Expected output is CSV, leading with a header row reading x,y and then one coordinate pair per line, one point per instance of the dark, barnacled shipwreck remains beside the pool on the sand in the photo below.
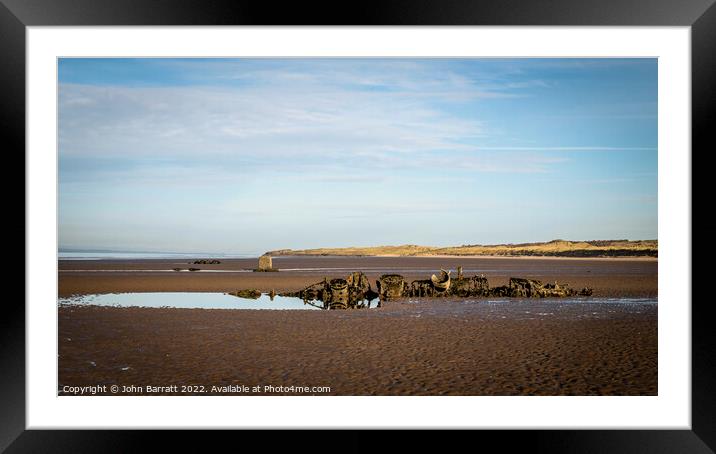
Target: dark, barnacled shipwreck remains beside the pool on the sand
x,y
355,291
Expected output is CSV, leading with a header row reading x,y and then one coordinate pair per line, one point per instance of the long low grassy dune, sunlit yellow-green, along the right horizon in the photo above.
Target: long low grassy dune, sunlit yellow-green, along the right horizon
x,y
558,248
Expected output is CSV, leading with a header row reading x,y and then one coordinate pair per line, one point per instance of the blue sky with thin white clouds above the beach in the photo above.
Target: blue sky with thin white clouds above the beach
x,y
249,155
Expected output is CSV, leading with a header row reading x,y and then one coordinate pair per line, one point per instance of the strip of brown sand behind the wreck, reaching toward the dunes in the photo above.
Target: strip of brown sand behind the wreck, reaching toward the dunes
x,y
608,277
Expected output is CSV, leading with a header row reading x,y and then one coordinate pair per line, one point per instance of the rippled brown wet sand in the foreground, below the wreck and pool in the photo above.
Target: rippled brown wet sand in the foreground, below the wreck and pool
x,y
424,348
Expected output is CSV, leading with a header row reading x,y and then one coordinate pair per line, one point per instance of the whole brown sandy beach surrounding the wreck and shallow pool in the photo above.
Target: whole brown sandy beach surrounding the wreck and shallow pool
x,y
406,347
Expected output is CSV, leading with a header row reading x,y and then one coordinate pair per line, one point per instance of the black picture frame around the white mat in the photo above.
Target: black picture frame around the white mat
x,y
16,15
